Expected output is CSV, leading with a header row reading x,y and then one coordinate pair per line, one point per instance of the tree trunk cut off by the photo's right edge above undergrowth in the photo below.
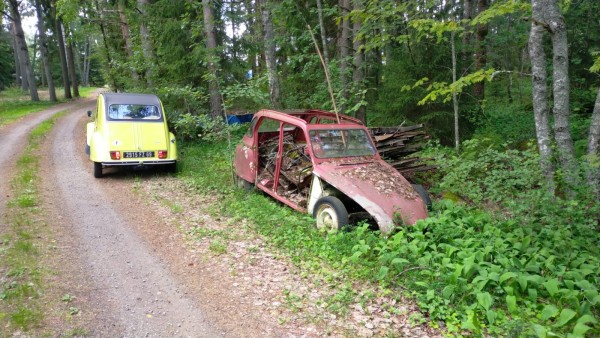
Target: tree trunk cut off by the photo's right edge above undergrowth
x,y
593,170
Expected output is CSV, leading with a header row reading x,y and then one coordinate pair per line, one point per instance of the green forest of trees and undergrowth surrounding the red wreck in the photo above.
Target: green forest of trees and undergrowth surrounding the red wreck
x,y
508,90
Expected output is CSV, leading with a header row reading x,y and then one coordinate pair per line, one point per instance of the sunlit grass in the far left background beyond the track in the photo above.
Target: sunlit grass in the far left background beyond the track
x,y
14,104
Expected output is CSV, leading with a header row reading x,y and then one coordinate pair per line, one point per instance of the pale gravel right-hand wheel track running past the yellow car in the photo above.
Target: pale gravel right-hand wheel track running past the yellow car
x,y
142,298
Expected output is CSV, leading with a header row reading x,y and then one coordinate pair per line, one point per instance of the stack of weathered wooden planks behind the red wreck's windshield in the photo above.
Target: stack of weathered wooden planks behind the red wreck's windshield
x,y
397,146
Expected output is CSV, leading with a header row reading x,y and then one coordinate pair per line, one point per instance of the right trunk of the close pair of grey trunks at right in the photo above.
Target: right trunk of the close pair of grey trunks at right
x,y
560,61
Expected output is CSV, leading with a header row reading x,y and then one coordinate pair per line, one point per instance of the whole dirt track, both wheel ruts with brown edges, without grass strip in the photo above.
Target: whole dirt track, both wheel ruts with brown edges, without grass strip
x,y
122,284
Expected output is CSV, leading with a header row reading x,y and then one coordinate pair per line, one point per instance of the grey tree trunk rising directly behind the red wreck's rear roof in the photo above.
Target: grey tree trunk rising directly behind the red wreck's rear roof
x,y
270,57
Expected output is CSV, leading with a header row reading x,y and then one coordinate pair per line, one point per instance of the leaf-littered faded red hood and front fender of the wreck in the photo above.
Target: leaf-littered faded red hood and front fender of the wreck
x,y
378,188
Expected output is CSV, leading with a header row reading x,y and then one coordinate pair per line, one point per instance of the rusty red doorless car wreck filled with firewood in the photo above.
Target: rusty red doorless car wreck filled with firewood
x,y
326,165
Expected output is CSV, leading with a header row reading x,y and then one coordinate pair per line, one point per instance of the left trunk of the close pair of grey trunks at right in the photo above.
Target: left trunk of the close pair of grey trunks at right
x,y
540,95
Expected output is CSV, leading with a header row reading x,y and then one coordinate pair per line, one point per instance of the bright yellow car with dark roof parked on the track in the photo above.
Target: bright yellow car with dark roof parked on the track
x,y
129,130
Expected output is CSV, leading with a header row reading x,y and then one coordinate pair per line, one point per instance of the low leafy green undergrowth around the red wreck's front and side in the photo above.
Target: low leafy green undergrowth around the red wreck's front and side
x,y
519,264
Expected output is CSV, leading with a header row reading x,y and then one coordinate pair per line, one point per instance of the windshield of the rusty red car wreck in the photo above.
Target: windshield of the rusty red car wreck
x,y
335,143
